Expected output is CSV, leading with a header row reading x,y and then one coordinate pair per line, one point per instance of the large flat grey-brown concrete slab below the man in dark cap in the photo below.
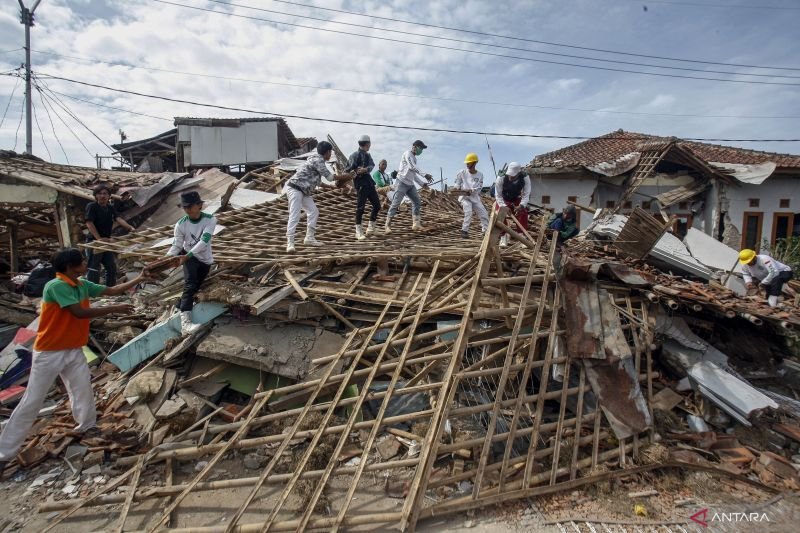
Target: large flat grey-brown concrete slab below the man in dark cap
x,y
285,350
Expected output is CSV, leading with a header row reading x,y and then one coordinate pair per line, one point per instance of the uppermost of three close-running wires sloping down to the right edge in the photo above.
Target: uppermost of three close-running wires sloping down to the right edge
x,y
520,38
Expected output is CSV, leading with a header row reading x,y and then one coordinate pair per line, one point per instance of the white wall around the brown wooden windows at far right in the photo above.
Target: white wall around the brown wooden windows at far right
x,y
769,194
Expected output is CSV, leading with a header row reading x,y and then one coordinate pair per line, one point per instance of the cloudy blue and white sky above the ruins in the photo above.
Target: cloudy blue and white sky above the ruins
x,y
296,58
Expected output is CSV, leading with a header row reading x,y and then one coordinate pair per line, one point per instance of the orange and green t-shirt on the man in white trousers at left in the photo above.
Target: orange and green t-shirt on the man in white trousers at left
x,y
59,329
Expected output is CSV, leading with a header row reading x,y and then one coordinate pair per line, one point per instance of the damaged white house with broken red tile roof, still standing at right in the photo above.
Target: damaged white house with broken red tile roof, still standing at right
x,y
741,197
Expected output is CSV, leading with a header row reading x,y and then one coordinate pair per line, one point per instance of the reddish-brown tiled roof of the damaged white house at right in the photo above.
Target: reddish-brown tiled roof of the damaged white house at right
x,y
618,145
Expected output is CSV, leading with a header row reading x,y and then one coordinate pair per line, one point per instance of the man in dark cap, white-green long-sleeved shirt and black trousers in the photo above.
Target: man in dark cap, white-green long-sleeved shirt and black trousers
x,y
192,246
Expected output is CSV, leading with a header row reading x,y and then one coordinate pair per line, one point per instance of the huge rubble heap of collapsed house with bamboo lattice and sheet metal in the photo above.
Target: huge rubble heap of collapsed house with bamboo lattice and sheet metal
x,y
386,382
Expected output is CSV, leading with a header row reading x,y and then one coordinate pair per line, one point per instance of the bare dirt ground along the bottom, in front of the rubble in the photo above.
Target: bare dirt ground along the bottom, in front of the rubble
x,y
679,495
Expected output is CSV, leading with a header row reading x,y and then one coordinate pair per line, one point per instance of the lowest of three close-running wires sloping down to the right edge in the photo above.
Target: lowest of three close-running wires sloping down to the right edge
x,y
483,52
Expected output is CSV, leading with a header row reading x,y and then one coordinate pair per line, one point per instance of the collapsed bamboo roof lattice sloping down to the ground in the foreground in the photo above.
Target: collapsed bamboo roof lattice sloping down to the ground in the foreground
x,y
478,340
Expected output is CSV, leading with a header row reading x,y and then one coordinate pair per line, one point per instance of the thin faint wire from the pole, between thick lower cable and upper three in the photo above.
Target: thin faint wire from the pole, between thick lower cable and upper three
x,y
94,61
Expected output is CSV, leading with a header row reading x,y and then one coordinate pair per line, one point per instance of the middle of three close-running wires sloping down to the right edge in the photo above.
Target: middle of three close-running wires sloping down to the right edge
x,y
501,46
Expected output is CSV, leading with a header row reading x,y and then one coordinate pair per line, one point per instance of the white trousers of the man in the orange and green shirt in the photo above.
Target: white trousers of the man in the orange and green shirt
x,y
46,367
